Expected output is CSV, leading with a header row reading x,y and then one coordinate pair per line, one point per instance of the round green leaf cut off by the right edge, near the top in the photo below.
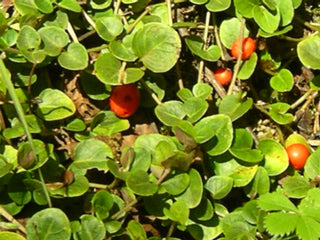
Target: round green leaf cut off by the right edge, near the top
x,y
309,52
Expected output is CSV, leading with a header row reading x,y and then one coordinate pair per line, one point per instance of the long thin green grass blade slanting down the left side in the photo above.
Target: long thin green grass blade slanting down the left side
x,y
7,81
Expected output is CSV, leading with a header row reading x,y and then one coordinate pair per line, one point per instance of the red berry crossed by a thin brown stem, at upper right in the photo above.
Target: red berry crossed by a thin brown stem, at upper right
x,y
248,47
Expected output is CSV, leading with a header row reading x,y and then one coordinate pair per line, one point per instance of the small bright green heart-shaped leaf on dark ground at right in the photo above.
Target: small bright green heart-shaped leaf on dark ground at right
x,y
283,81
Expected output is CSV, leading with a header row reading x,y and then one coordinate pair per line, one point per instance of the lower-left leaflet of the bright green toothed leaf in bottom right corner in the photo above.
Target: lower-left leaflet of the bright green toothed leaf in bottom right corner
x,y
281,223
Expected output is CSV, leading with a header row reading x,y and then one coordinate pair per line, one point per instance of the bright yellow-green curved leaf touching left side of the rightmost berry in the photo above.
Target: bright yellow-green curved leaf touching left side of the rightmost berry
x,y
275,156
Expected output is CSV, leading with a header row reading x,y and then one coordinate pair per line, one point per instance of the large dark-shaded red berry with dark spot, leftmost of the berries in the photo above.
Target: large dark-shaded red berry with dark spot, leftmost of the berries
x,y
124,100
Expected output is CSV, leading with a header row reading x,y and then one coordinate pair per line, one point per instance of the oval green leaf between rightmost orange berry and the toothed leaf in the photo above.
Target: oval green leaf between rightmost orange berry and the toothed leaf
x,y
296,186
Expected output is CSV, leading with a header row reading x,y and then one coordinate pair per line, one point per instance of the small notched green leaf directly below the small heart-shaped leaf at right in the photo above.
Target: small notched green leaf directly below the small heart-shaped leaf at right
x,y
278,112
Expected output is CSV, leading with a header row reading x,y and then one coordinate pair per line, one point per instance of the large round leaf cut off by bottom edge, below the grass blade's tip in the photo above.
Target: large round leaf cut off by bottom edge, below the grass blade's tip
x,y
48,224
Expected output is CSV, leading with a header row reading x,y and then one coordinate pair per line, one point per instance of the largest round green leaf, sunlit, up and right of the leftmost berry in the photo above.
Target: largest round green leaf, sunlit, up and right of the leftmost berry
x,y
158,46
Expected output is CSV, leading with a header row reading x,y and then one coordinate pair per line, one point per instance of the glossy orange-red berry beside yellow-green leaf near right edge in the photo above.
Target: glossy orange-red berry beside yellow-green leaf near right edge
x,y
298,154
